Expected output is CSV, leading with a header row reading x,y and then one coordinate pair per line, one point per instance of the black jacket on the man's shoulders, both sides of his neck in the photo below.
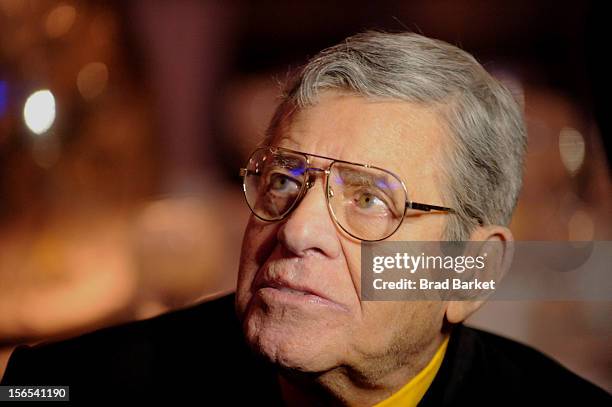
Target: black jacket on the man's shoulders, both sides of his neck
x,y
198,354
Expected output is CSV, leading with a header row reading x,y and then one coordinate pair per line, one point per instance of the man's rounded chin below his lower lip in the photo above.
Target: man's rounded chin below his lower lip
x,y
291,343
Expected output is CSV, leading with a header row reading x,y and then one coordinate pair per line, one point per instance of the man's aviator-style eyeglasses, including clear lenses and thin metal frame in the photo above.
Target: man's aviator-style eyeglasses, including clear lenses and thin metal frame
x,y
369,203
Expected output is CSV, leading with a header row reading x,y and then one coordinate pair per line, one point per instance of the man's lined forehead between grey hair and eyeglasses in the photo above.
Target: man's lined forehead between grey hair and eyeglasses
x,y
395,135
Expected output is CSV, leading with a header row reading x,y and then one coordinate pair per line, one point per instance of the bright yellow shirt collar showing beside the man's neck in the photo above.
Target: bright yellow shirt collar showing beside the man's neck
x,y
415,389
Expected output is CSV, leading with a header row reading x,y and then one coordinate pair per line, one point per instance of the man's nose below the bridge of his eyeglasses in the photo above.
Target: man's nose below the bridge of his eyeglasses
x,y
309,229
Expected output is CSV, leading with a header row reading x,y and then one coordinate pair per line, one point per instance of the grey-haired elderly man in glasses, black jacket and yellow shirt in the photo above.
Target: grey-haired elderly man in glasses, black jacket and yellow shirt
x,y
420,114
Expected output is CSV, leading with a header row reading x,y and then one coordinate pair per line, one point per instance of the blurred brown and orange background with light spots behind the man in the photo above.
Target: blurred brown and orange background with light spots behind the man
x,y
123,125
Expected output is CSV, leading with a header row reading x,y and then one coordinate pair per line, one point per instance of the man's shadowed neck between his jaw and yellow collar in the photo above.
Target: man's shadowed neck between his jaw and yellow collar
x,y
351,386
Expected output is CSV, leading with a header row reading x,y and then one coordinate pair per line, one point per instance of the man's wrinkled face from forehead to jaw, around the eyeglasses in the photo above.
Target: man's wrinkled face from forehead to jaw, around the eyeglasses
x,y
308,251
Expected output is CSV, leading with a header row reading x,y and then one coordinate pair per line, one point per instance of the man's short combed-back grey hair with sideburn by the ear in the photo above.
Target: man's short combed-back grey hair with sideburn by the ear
x,y
484,156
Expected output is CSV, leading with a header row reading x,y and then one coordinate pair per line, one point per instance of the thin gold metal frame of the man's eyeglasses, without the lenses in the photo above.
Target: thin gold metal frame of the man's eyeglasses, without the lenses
x,y
310,181
